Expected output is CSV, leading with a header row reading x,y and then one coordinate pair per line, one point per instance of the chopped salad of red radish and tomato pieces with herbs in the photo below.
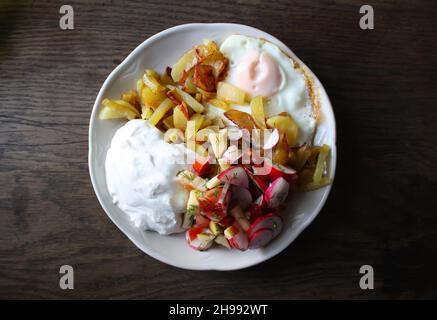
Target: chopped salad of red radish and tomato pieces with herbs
x,y
237,208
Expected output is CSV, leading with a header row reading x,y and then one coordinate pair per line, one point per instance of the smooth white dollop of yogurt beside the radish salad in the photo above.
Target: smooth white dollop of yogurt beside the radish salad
x,y
141,173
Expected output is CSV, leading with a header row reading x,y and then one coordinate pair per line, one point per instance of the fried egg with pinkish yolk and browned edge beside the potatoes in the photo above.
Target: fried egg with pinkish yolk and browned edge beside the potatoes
x,y
259,67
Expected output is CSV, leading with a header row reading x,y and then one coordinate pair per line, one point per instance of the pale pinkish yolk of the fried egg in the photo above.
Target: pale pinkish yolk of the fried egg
x,y
258,75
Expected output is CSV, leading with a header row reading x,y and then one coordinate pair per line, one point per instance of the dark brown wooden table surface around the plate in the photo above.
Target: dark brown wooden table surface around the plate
x,y
382,209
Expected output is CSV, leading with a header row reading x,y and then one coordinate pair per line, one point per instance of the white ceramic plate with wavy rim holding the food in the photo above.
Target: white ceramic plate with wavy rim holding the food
x,y
157,52
